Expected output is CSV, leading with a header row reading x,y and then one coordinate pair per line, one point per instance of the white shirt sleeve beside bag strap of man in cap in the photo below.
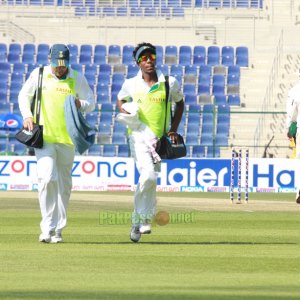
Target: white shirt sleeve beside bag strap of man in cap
x,y
26,94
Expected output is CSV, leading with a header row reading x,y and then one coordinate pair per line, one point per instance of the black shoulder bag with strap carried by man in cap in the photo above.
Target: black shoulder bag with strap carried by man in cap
x,y
34,138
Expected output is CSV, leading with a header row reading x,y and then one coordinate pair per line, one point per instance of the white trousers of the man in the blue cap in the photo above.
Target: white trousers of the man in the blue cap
x,y
54,166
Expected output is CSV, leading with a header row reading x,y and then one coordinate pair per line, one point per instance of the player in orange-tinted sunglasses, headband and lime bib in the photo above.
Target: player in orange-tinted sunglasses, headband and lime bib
x,y
147,91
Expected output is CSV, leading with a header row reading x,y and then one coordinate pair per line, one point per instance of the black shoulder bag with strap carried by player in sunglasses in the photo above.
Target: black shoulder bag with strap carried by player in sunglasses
x,y
165,148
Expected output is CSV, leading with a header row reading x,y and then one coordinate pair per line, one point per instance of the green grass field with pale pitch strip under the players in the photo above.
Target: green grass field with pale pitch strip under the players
x,y
224,251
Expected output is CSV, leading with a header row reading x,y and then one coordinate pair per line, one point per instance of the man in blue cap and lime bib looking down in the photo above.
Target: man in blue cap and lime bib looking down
x,y
55,159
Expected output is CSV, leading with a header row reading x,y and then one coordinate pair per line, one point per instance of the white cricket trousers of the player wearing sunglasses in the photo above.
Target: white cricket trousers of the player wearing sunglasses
x,y
145,194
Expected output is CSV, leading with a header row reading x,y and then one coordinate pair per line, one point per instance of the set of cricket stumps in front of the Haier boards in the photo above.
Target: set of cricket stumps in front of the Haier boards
x,y
237,153
